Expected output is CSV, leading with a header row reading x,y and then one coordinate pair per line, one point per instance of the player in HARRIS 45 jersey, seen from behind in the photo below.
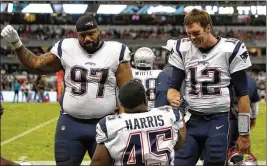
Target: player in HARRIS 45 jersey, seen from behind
x,y
138,136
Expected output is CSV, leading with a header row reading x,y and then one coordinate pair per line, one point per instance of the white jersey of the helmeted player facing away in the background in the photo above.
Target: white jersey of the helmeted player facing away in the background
x,y
149,80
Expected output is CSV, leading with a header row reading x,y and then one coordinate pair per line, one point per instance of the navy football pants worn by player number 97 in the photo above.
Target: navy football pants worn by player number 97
x,y
73,138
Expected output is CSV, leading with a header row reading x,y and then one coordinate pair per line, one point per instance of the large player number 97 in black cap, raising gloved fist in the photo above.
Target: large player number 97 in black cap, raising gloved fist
x,y
92,71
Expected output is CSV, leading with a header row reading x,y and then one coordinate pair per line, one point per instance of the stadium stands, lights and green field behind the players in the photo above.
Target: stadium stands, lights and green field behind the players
x,y
27,128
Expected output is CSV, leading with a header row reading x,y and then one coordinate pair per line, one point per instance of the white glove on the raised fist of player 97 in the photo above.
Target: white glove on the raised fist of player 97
x,y
11,36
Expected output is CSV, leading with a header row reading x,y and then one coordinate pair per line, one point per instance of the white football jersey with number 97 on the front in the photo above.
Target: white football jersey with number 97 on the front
x,y
89,80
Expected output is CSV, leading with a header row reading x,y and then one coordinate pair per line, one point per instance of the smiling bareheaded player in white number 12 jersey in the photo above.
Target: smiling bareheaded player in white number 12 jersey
x,y
208,64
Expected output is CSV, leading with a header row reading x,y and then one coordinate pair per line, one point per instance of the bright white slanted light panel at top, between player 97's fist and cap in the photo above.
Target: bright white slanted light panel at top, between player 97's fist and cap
x,y
37,8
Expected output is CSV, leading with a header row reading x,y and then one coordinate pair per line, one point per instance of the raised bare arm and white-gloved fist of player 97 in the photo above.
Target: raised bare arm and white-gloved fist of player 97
x,y
44,64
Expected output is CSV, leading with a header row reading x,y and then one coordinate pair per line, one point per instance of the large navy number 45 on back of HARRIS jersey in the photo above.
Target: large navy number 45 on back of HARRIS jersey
x,y
135,152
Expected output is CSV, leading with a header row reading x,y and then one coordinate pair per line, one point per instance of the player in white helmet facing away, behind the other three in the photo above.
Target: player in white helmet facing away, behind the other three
x,y
143,60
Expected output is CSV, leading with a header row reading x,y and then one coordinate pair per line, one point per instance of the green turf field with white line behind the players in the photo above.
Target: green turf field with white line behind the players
x,y
37,145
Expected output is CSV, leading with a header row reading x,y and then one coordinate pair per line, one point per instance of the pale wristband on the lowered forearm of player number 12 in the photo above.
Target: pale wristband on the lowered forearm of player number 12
x,y
244,123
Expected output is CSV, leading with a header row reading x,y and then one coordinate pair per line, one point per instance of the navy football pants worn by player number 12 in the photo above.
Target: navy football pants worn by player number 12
x,y
208,134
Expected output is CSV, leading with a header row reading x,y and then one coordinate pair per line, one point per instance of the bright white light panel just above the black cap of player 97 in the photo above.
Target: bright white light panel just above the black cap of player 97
x,y
74,8
